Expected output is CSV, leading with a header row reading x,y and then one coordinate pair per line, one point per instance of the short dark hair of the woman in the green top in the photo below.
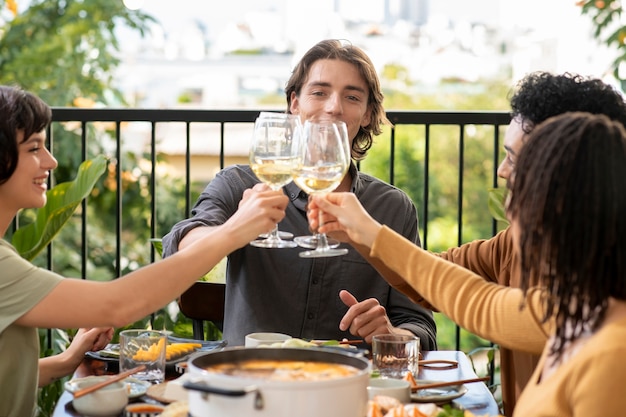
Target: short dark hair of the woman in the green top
x,y
19,110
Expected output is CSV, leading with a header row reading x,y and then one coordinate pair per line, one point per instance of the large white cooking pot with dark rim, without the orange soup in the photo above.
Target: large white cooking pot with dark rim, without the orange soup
x,y
218,394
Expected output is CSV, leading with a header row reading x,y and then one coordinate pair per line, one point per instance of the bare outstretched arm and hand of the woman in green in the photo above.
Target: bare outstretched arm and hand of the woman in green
x,y
82,303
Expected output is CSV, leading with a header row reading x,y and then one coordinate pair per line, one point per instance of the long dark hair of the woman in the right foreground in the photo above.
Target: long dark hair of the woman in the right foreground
x,y
568,202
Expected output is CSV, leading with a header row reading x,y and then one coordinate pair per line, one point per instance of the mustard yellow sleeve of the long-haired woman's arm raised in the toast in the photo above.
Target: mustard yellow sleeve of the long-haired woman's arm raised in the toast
x,y
489,310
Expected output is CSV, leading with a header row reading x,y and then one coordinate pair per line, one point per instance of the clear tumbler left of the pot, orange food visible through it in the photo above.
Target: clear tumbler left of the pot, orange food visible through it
x,y
144,347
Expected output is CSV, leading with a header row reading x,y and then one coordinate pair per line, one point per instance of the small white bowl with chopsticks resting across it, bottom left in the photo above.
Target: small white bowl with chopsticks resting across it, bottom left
x,y
109,400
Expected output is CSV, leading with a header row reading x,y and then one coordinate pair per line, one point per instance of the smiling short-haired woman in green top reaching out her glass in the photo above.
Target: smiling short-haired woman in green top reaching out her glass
x,y
32,297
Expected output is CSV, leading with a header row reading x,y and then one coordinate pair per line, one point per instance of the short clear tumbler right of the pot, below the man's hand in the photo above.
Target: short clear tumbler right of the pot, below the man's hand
x,y
394,355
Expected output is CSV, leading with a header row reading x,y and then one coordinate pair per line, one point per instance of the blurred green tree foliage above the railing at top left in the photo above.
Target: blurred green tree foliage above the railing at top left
x,y
65,49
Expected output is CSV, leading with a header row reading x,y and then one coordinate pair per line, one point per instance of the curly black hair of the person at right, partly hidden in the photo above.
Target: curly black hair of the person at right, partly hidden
x,y
541,95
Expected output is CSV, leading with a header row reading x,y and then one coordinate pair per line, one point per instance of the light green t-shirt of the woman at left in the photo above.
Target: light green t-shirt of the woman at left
x,y
22,286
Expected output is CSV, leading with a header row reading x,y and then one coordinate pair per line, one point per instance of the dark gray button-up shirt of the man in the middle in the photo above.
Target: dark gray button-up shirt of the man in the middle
x,y
276,290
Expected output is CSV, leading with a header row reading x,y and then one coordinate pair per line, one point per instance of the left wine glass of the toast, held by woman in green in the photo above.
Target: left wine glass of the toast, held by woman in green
x,y
274,156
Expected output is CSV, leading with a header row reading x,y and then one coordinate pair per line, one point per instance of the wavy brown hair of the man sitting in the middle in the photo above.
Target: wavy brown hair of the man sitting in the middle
x,y
336,49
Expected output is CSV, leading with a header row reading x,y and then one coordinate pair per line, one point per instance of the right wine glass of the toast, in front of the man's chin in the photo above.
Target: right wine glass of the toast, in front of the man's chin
x,y
325,158
